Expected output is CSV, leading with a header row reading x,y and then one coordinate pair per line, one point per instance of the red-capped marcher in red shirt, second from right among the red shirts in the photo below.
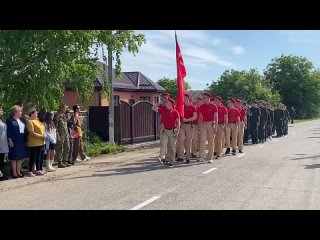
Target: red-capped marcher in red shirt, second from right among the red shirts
x,y
232,127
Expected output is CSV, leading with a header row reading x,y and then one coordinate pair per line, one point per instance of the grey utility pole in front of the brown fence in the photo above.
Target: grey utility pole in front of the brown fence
x,y
111,105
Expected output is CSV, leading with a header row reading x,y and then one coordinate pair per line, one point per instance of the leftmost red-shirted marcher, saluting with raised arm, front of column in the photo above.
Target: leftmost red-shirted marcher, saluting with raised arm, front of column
x,y
171,123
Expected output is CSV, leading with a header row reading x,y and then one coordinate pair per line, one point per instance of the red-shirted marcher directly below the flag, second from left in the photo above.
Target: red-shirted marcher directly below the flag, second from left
x,y
185,133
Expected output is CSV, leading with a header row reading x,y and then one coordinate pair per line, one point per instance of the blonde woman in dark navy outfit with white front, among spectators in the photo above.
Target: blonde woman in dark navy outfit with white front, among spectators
x,y
16,135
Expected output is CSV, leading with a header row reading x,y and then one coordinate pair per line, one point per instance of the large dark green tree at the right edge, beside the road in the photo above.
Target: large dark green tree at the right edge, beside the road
x,y
297,82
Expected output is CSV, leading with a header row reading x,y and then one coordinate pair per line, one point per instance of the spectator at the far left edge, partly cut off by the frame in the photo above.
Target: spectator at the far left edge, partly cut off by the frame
x,y
4,149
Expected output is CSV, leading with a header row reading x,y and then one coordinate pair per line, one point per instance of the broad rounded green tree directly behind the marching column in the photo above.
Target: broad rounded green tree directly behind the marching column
x,y
247,85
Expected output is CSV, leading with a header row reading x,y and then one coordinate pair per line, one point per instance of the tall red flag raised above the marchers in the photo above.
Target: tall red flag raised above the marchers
x,y
181,74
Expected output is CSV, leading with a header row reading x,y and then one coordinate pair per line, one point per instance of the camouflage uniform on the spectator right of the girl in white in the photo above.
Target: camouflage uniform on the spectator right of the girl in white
x,y
63,145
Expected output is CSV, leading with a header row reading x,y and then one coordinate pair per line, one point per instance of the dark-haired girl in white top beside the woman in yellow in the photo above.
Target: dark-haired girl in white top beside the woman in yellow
x,y
51,140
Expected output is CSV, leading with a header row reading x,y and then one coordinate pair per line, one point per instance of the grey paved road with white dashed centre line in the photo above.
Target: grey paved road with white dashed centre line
x,y
281,174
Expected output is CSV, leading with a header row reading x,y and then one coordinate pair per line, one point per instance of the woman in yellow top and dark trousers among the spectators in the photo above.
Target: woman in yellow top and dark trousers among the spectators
x,y
36,141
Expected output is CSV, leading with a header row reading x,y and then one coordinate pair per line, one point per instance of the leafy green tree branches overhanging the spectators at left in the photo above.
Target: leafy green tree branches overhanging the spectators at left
x,y
35,64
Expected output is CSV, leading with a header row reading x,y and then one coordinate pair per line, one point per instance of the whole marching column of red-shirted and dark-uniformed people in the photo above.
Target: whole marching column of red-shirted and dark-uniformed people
x,y
208,124
